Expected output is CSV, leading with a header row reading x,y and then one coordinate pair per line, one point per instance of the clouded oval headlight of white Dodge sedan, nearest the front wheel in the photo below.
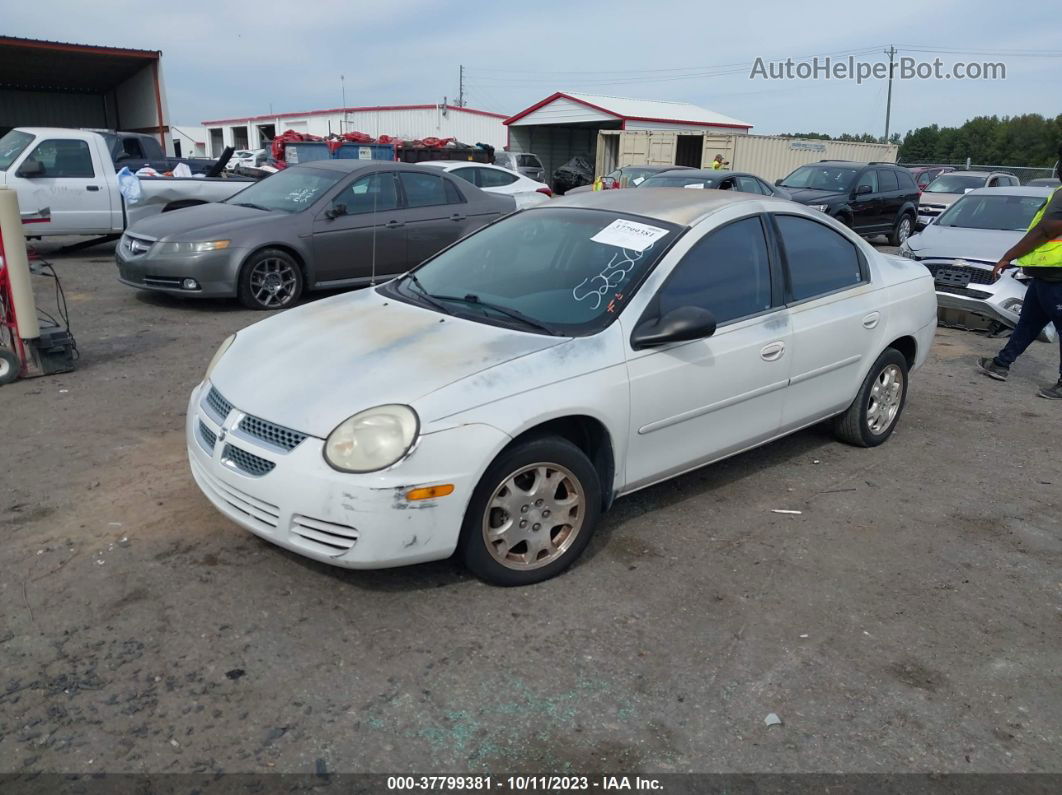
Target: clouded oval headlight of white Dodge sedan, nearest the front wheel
x,y
372,440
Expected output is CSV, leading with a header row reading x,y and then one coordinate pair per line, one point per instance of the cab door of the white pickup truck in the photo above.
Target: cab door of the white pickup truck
x,y
73,186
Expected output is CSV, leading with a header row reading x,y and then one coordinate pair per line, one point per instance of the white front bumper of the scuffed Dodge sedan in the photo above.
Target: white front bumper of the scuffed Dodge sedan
x,y
357,522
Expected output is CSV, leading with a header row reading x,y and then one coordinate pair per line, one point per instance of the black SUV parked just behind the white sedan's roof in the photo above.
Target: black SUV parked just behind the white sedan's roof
x,y
870,198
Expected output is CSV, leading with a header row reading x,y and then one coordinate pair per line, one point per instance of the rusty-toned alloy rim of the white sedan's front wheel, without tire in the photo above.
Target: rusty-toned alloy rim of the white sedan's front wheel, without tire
x,y
535,516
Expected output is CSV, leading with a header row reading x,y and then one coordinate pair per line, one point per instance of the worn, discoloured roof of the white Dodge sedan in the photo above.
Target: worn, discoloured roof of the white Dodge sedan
x,y
664,204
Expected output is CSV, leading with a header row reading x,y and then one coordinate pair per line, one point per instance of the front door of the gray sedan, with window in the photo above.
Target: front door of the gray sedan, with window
x,y
361,234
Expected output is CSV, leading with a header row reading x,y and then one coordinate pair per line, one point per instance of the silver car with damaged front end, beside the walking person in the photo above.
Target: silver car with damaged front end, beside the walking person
x,y
962,248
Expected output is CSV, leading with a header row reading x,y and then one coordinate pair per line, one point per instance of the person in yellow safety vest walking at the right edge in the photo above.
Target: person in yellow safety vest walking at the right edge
x,y
1040,255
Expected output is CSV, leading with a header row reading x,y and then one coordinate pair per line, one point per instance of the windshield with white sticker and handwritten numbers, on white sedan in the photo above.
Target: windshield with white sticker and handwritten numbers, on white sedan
x,y
562,269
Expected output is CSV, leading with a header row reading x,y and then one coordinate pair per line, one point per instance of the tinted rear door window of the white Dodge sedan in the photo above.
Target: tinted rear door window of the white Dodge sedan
x,y
820,261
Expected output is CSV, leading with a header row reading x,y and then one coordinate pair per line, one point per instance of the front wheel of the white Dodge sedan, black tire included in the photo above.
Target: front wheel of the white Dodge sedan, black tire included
x,y
570,475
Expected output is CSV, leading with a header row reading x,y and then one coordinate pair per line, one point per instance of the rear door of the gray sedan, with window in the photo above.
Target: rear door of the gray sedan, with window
x,y
437,214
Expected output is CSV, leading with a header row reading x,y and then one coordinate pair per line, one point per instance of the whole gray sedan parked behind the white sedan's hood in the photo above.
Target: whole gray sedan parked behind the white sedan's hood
x,y
329,224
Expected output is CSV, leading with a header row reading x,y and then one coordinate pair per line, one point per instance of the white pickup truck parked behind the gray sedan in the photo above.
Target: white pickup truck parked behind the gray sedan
x,y
67,184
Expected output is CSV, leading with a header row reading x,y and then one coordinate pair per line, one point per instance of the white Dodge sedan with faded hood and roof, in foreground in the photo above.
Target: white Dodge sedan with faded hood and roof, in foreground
x,y
499,399
